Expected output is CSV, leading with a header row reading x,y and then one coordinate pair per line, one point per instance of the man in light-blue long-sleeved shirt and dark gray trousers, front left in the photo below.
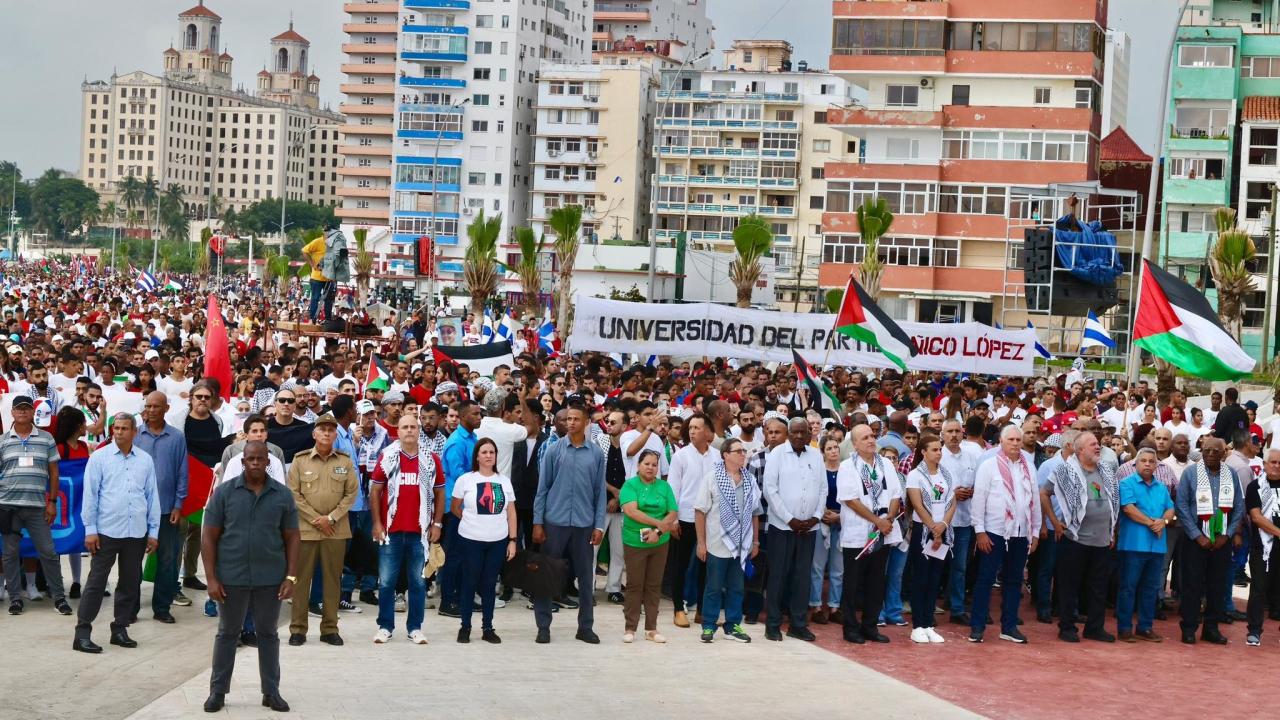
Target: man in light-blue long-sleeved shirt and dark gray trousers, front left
x,y
122,522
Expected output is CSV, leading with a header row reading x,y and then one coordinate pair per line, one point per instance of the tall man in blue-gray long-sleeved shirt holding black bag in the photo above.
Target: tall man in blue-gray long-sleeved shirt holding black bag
x,y
569,517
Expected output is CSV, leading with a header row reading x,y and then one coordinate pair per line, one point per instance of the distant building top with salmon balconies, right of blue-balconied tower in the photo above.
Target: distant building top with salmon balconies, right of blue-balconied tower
x,y
683,21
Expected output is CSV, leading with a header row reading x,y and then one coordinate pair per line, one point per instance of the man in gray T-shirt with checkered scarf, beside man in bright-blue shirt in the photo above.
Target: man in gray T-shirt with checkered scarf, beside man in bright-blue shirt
x,y
1089,502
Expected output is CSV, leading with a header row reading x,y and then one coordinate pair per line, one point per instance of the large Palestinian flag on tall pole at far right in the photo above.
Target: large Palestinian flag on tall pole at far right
x,y
1177,323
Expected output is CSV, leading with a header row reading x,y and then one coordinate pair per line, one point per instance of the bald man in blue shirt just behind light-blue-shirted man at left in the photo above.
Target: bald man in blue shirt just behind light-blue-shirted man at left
x,y
168,450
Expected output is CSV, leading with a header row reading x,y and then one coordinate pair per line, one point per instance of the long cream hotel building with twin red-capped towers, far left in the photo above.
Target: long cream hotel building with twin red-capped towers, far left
x,y
190,127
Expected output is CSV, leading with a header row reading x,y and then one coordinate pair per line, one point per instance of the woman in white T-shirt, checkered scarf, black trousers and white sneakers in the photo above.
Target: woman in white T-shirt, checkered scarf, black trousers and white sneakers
x,y
931,491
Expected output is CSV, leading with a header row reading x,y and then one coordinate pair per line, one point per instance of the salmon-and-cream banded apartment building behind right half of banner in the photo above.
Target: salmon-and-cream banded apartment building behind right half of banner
x,y
966,101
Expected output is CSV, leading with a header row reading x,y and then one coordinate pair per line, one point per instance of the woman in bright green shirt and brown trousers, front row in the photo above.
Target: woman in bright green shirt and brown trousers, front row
x,y
650,517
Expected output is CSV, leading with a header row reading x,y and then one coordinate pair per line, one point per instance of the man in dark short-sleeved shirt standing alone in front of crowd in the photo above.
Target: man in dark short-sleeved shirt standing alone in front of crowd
x,y
250,545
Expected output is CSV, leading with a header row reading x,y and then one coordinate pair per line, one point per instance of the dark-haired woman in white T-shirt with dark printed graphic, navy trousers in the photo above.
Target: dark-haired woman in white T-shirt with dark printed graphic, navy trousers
x,y
484,503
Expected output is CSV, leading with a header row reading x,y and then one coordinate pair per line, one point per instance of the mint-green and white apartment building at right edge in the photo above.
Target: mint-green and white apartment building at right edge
x,y
1223,147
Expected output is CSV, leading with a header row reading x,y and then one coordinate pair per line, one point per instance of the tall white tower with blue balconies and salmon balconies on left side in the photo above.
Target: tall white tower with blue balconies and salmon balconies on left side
x,y
463,116
